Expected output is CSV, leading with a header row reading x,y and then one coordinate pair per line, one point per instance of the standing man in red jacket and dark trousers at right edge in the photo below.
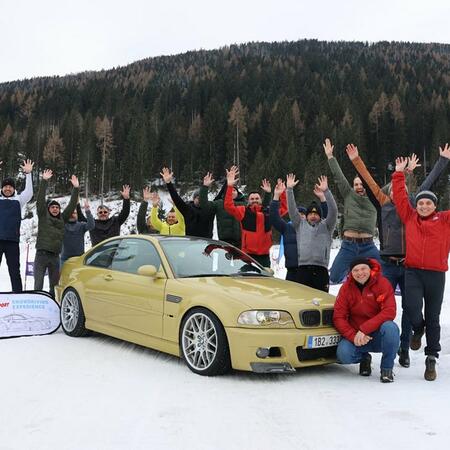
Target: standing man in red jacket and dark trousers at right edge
x,y
427,249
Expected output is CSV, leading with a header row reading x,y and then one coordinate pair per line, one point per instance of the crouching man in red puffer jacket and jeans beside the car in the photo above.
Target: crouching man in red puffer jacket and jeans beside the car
x,y
363,313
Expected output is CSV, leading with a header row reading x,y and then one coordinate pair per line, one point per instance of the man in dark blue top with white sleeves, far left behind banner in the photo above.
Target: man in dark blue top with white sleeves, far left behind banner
x,y
11,204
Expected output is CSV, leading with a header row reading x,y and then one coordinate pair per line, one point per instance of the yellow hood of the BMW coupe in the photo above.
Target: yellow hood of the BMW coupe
x,y
261,293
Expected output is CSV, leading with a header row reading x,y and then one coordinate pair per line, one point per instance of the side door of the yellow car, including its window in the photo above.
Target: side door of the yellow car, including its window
x,y
135,302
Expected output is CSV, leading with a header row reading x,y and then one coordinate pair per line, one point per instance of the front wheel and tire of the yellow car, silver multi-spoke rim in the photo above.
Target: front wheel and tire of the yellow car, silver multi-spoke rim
x,y
204,344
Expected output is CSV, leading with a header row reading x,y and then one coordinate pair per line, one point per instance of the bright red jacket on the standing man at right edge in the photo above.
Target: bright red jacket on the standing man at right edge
x,y
427,238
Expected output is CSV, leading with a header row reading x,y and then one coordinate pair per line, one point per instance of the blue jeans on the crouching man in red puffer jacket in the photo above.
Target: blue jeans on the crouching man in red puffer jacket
x,y
385,340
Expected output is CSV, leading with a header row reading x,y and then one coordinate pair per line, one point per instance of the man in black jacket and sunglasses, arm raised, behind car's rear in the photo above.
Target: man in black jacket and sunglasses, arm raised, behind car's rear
x,y
106,226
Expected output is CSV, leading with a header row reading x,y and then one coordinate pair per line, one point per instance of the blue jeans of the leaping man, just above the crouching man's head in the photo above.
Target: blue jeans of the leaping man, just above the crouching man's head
x,y
348,252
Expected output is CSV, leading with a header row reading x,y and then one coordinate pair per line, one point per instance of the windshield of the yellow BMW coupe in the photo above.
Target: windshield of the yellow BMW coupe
x,y
205,258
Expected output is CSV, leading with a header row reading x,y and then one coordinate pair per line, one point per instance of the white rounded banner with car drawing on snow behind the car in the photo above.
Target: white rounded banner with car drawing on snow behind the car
x,y
28,313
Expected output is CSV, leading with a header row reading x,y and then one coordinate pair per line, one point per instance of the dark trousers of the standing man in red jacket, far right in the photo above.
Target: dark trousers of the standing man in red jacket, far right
x,y
425,287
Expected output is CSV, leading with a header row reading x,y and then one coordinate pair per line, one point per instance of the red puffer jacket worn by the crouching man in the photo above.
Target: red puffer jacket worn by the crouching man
x,y
364,310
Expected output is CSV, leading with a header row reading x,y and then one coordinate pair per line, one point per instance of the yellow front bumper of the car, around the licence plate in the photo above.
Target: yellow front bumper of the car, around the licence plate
x,y
289,345
